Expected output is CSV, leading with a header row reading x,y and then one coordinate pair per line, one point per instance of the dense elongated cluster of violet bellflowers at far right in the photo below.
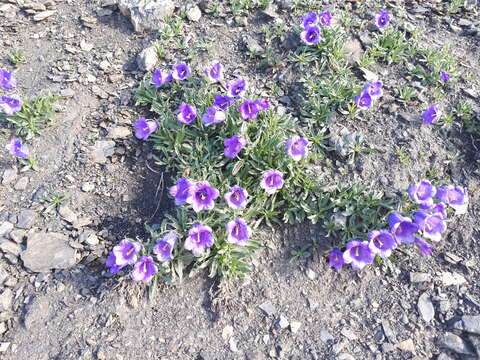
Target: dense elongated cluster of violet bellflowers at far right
x,y
425,226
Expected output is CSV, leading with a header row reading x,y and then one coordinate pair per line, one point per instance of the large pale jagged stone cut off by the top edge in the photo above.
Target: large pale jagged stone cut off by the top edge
x,y
146,14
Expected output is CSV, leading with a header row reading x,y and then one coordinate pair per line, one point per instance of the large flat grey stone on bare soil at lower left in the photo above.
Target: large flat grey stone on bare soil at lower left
x,y
47,251
